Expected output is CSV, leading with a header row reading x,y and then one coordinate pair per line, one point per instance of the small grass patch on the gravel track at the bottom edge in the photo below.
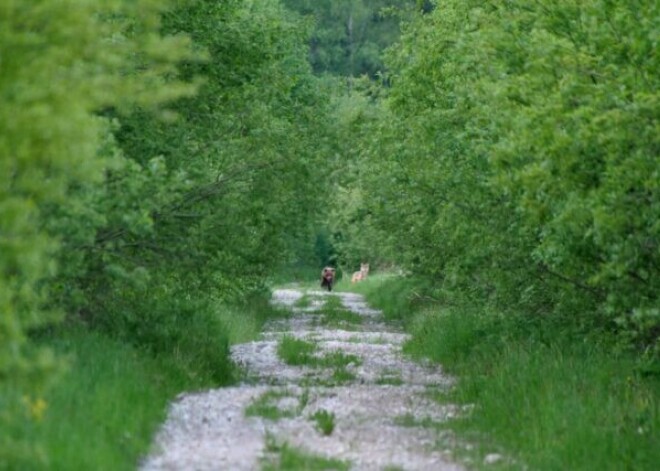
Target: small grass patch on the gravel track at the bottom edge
x,y
288,458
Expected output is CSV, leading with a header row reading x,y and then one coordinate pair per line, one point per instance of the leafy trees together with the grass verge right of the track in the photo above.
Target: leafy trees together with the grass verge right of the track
x,y
510,168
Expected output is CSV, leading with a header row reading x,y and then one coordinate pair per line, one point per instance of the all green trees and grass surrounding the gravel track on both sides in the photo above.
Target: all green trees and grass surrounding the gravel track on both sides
x,y
163,163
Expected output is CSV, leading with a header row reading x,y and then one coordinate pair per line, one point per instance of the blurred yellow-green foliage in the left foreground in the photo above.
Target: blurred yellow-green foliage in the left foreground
x,y
52,81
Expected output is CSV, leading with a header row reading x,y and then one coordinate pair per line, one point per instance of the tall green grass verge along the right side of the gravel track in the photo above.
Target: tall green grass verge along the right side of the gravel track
x,y
546,395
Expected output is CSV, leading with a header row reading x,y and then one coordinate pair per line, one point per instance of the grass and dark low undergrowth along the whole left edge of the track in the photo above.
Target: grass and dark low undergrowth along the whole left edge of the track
x,y
104,408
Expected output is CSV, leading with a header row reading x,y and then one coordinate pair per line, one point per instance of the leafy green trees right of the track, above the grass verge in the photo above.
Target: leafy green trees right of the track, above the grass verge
x,y
516,160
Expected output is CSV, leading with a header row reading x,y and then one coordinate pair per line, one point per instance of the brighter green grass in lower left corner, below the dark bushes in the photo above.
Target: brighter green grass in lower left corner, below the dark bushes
x,y
103,412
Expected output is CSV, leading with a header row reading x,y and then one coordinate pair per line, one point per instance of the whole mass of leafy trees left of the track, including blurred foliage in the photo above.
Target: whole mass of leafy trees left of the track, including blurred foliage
x,y
156,159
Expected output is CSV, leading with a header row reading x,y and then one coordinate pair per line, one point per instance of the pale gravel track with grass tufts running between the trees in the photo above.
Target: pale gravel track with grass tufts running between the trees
x,y
344,371
